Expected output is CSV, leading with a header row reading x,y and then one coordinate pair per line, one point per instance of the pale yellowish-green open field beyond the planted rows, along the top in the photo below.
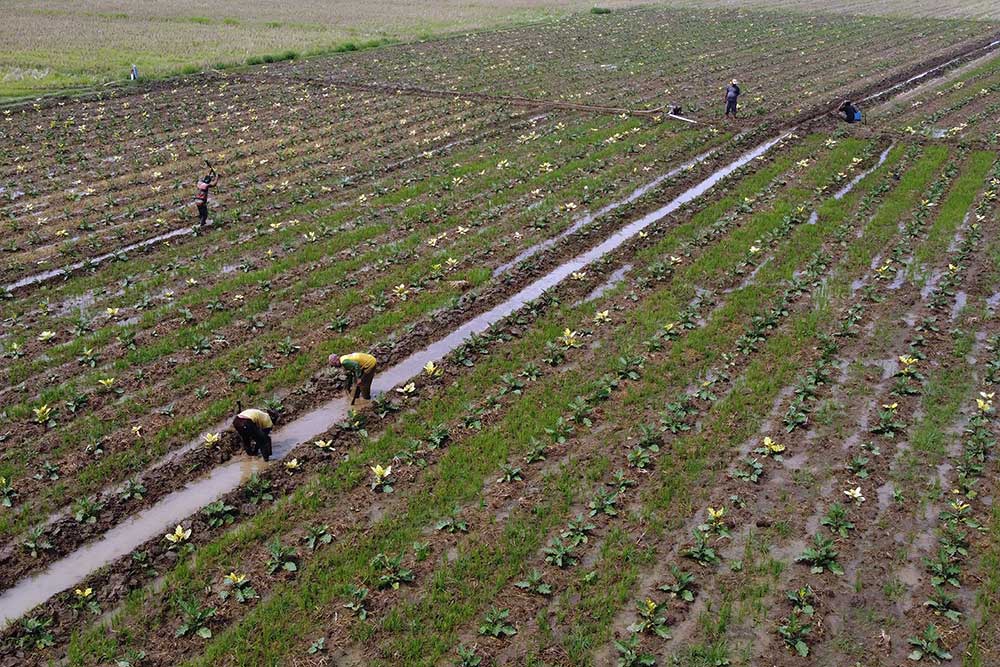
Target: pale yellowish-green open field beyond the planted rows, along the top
x,y
57,44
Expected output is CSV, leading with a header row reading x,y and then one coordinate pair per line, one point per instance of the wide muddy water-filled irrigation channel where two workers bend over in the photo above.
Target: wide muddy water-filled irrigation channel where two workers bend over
x,y
173,508
